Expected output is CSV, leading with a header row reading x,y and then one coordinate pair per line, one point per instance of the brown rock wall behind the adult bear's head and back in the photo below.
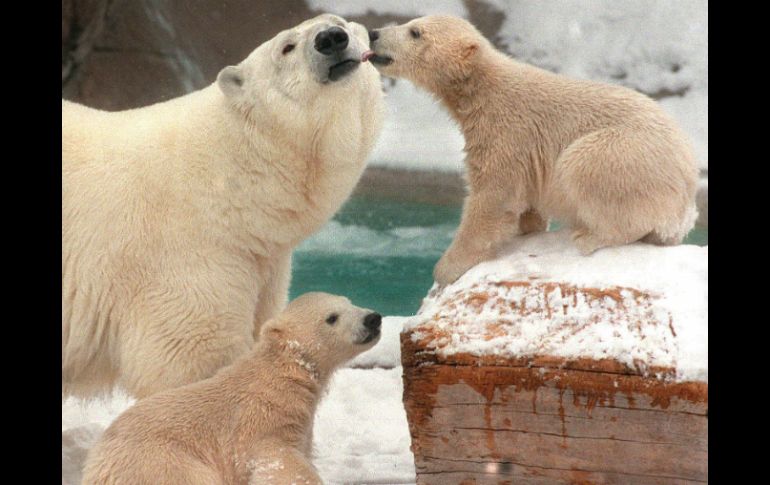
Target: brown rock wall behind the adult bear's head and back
x,y
119,54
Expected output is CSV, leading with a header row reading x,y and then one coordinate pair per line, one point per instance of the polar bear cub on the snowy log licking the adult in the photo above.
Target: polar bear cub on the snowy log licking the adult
x,y
604,159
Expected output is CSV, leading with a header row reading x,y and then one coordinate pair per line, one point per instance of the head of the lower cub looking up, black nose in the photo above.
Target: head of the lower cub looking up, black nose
x,y
328,327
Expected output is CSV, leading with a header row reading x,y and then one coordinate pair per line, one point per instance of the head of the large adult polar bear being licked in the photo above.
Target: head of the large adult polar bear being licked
x,y
323,52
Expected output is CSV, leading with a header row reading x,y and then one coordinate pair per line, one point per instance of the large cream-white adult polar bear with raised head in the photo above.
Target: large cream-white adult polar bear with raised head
x,y
179,219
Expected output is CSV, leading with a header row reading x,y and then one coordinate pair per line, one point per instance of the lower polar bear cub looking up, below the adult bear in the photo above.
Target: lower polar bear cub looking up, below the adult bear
x,y
252,421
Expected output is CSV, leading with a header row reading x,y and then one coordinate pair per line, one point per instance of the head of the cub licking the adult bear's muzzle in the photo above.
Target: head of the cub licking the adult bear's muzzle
x,y
427,50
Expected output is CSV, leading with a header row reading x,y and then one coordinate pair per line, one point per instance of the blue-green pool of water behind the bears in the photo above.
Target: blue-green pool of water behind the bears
x,y
380,253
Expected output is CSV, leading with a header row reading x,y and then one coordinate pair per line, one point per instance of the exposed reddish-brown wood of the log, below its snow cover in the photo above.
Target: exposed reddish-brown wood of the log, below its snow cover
x,y
544,419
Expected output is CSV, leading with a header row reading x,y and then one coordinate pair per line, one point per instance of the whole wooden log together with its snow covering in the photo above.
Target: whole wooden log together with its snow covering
x,y
545,366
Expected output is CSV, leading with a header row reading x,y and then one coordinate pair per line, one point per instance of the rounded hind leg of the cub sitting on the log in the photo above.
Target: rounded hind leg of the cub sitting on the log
x,y
618,185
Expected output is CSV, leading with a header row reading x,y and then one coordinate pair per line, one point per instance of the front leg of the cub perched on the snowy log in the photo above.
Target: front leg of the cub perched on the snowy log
x,y
490,219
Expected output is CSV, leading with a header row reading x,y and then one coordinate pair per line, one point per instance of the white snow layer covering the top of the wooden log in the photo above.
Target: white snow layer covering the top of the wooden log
x,y
474,314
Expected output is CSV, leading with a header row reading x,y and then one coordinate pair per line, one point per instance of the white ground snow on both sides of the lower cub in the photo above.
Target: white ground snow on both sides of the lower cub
x,y
360,435
